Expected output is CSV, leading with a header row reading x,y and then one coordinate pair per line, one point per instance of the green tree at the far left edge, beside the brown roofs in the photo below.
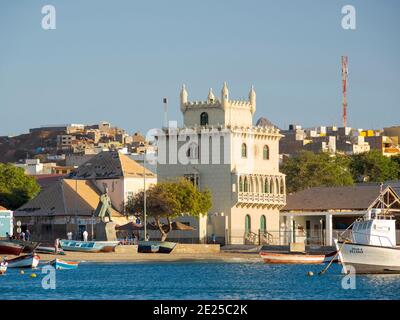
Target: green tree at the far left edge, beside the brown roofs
x,y
16,188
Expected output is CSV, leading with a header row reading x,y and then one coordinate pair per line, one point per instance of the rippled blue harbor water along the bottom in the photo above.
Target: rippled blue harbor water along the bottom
x,y
200,280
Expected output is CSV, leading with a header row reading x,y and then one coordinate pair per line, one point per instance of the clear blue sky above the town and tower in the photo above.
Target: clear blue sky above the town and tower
x,y
116,60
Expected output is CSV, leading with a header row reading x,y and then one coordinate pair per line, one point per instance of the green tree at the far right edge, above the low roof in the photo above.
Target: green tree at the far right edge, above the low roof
x,y
373,166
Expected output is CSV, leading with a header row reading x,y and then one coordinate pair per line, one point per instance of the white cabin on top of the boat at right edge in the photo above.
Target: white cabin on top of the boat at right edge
x,y
375,229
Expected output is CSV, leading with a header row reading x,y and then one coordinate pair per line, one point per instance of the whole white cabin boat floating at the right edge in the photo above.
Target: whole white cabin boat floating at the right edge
x,y
372,248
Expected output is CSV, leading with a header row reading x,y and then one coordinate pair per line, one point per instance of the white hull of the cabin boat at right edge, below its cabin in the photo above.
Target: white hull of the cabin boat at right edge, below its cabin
x,y
368,259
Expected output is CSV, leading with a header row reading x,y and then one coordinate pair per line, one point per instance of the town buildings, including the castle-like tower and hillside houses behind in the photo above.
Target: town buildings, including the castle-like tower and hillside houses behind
x,y
75,164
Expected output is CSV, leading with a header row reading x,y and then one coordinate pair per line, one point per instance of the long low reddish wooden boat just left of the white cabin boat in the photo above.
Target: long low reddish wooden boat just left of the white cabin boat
x,y
296,258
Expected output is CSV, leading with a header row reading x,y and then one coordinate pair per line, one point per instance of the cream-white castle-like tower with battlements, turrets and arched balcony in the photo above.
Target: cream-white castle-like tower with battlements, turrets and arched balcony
x,y
219,148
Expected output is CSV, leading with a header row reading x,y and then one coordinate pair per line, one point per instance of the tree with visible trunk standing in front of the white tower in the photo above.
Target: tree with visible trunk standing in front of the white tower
x,y
170,200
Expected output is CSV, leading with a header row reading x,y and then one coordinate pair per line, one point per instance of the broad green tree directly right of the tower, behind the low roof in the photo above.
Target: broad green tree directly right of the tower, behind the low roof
x,y
309,169
